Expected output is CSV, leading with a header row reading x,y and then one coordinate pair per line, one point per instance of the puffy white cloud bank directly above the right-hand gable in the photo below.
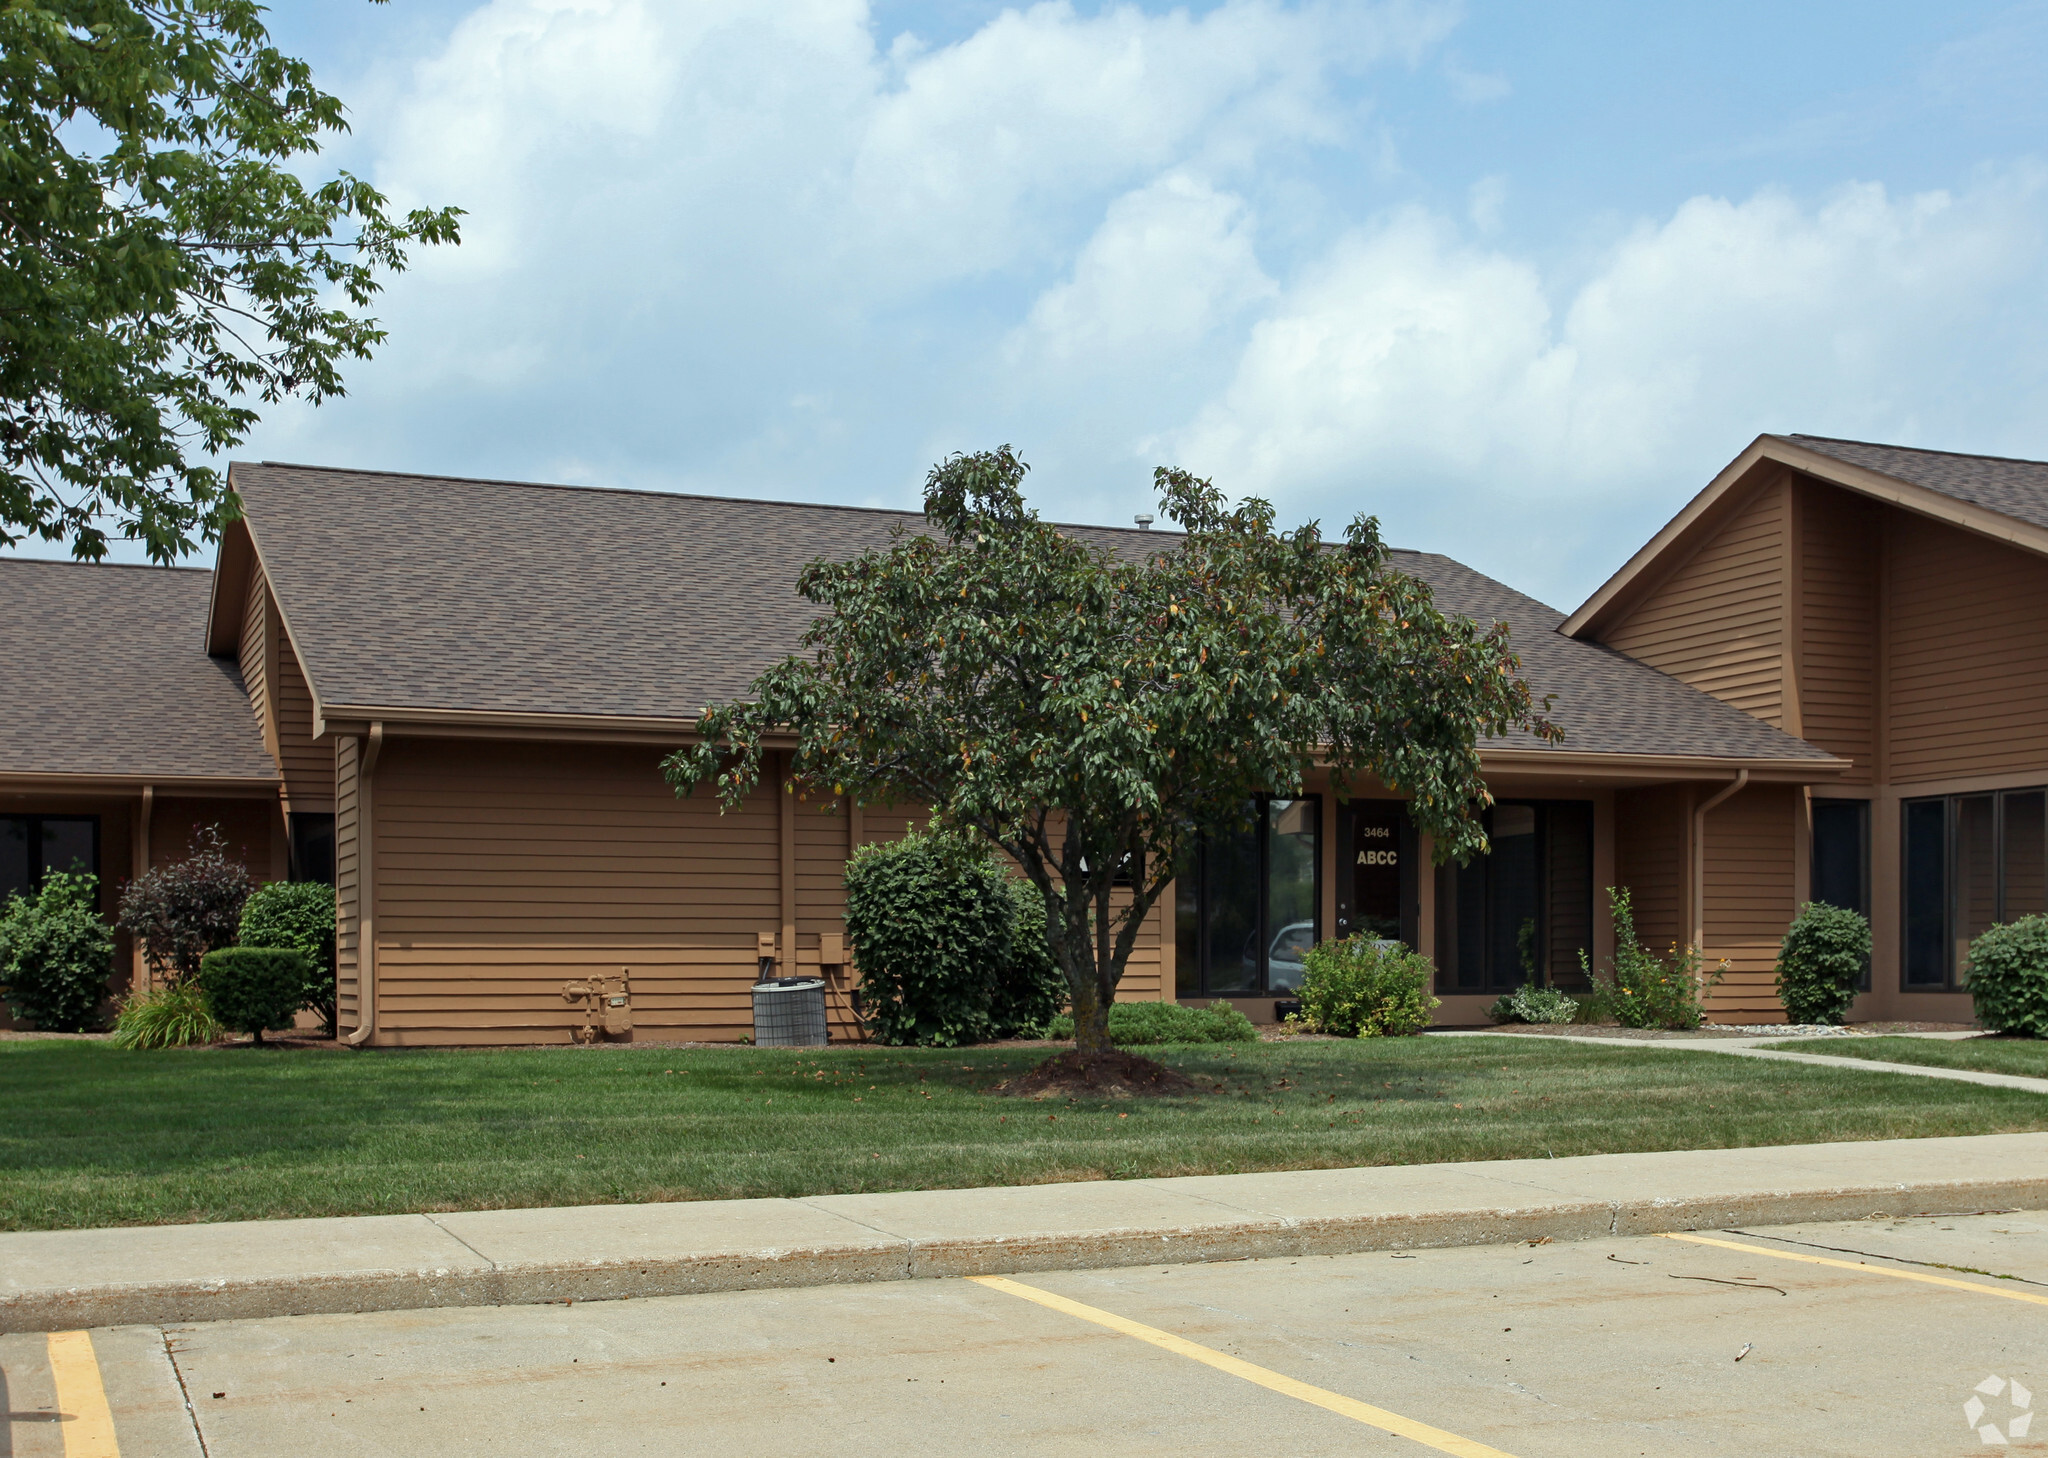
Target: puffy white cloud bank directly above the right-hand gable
x,y
1410,357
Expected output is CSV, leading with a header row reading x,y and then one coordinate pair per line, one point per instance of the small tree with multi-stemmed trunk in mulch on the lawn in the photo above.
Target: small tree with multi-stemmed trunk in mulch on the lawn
x,y
1093,714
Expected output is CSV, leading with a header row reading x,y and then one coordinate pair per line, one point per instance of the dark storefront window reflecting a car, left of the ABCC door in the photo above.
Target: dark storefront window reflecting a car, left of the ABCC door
x,y
1248,908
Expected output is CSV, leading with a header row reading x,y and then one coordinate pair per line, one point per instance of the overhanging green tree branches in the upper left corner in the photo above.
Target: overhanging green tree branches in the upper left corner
x,y
163,263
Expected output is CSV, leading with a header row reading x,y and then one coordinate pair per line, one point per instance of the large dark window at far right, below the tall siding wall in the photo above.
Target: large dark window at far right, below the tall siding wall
x,y
1969,863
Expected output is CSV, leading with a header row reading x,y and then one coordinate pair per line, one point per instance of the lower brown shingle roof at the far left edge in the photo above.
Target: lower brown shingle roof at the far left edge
x,y
105,675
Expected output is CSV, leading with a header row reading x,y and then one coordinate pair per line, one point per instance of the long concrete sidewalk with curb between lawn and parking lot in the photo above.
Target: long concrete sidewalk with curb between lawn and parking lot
x,y
56,1281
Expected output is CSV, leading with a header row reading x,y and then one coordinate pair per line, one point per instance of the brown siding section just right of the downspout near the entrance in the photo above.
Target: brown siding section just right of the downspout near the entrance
x,y
1750,849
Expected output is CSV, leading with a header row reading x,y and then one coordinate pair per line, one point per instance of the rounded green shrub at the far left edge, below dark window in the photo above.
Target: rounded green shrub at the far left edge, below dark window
x,y
56,953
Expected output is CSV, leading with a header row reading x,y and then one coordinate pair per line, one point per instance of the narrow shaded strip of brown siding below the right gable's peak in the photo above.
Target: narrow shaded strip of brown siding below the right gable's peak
x,y
1838,624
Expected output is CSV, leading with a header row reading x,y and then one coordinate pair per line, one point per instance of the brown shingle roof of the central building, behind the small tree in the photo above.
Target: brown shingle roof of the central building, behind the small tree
x,y
431,593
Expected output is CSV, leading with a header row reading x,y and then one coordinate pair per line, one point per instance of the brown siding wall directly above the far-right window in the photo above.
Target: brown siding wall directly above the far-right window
x,y
1969,656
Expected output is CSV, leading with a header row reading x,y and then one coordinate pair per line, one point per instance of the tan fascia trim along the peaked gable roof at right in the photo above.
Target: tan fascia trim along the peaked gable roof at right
x,y
1672,546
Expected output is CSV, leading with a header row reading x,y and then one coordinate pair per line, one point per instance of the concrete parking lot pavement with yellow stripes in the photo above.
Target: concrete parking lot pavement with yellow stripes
x,y
1865,1338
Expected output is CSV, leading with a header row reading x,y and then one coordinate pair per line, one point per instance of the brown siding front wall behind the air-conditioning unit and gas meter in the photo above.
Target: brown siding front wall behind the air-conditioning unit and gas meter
x,y
509,869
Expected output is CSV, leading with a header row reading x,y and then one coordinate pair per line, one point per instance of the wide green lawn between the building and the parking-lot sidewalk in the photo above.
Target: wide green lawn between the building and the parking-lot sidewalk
x,y
105,1138
